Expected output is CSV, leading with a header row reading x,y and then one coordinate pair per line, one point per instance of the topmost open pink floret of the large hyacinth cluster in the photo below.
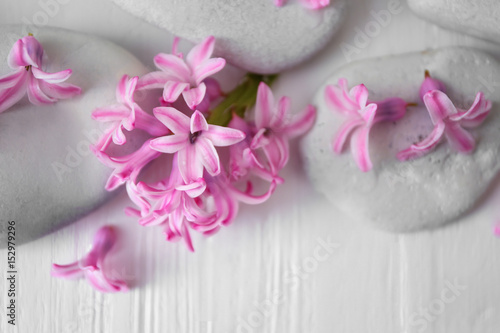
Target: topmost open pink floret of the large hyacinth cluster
x,y
178,76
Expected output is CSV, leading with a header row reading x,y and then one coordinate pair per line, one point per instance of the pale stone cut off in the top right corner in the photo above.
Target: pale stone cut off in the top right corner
x,y
480,18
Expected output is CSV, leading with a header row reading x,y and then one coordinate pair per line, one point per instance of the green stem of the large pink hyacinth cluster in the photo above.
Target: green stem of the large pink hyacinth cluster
x,y
240,99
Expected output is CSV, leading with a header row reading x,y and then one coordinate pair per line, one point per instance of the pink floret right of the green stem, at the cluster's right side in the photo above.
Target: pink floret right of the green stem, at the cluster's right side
x,y
275,127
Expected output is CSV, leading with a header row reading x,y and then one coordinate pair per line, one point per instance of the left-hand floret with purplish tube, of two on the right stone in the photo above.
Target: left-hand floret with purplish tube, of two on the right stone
x,y
361,116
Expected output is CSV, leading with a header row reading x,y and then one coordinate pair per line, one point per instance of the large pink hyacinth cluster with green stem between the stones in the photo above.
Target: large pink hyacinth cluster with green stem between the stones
x,y
218,150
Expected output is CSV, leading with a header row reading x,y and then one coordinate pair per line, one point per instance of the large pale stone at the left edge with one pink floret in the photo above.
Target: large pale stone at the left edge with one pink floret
x,y
48,176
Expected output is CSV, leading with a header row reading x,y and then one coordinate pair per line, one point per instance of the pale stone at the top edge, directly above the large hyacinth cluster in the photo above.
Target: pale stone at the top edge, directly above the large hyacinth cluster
x,y
254,35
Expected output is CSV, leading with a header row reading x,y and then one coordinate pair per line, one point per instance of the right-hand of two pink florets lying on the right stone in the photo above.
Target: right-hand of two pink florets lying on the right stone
x,y
450,122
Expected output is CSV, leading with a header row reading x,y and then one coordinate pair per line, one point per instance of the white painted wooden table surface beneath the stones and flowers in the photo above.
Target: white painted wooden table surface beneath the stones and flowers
x,y
271,270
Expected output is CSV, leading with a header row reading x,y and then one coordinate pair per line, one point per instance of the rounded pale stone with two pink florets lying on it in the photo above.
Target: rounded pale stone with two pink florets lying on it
x,y
423,193
